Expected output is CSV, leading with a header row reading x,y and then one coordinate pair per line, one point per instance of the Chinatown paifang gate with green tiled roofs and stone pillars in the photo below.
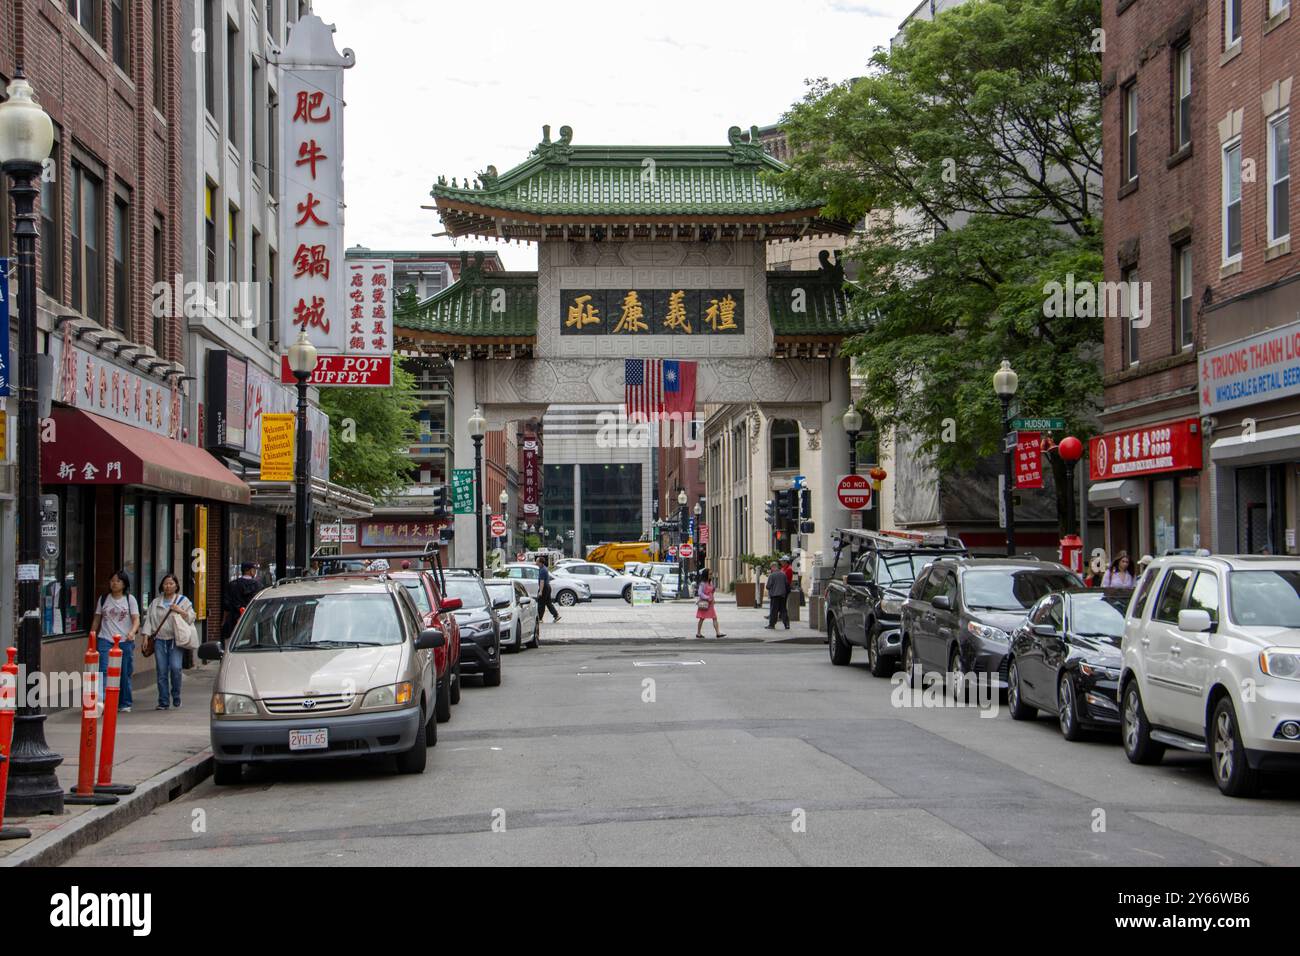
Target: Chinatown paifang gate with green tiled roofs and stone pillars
x,y
644,252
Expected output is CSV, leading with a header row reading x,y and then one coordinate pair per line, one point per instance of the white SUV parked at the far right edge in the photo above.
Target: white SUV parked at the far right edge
x,y
1212,664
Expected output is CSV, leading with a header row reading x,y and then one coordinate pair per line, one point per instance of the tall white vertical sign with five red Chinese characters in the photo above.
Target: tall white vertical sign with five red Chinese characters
x,y
311,185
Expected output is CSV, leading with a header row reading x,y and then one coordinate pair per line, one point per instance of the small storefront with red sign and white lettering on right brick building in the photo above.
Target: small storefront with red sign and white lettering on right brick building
x,y
1151,483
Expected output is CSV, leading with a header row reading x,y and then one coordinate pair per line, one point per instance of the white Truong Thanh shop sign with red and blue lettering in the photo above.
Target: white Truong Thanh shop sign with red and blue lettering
x,y
1260,369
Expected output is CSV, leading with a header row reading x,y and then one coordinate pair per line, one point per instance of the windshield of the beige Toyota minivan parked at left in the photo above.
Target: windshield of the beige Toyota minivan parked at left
x,y
328,621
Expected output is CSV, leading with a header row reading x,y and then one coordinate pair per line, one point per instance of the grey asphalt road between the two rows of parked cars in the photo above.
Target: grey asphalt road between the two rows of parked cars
x,y
749,754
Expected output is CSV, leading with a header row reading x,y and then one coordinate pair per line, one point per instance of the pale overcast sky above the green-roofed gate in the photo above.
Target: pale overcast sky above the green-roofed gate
x,y
452,88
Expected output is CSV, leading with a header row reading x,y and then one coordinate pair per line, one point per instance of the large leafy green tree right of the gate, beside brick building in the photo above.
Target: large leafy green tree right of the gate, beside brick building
x,y
973,150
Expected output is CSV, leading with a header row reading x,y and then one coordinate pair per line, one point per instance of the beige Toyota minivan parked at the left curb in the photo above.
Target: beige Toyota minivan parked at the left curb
x,y
353,674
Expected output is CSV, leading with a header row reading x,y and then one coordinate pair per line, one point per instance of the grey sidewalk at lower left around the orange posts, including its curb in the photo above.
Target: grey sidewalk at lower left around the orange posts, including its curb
x,y
163,752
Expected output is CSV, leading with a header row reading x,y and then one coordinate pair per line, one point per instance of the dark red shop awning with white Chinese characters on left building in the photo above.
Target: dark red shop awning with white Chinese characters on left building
x,y
93,451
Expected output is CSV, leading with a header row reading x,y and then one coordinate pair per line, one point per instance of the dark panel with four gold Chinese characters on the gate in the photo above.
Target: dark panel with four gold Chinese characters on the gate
x,y
652,313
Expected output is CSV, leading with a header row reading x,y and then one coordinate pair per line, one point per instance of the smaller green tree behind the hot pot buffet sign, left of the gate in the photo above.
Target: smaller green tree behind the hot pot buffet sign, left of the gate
x,y
371,434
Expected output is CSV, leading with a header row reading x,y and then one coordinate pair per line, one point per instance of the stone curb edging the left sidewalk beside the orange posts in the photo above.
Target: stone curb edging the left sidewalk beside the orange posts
x,y
59,846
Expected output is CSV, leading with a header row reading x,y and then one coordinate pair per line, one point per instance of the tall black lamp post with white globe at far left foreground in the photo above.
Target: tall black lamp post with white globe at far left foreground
x,y
27,139
